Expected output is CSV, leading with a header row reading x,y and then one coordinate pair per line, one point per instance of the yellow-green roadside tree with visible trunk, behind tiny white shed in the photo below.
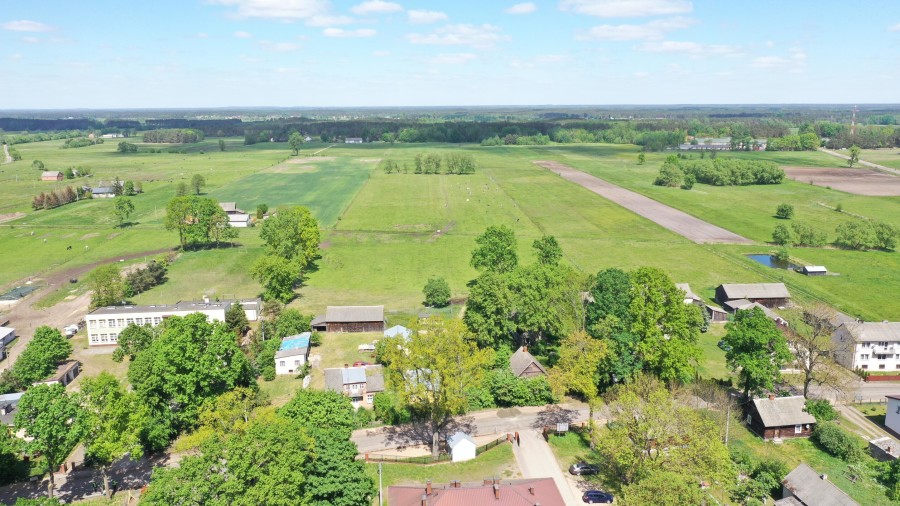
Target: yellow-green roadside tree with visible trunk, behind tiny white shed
x,y
433,370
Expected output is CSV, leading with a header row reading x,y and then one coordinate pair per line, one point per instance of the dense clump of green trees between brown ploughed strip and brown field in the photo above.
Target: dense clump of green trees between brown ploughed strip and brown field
x,y
717,172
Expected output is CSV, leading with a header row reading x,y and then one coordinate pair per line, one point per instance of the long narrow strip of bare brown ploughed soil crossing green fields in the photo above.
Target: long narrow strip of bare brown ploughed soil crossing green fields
x,y
677,221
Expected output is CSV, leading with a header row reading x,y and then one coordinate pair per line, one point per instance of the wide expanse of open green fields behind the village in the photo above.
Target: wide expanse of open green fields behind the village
x,y
384,235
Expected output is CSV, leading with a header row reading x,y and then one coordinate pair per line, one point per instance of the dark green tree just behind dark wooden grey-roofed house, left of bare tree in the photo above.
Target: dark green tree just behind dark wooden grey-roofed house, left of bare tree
x,y
756,350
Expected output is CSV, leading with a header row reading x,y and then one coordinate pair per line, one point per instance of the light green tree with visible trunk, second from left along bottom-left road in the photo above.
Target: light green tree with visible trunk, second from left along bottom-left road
x,y
115,419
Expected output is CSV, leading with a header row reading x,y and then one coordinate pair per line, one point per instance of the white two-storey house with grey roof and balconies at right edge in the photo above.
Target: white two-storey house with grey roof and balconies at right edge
x,y
867,345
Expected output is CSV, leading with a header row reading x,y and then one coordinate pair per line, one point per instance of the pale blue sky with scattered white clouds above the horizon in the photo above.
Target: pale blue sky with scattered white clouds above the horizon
x,y
99,54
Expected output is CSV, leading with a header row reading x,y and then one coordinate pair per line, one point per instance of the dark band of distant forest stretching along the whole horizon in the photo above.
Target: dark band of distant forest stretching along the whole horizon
x,y
655,128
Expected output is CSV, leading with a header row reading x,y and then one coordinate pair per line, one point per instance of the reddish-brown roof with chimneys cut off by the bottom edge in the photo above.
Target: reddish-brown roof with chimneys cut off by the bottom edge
x,y
528,492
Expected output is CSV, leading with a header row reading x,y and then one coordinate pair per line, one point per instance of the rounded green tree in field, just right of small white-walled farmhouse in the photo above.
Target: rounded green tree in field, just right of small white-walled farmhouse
x,y
292,234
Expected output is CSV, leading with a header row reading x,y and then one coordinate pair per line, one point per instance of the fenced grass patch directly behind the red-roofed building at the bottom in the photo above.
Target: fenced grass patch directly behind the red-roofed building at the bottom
x,y
498,462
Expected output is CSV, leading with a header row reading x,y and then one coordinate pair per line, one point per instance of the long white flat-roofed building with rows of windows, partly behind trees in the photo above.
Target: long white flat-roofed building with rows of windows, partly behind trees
x,y
105,323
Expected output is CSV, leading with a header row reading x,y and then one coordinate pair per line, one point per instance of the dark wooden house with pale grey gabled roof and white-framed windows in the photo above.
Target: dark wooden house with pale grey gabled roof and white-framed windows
x,y
776,418
